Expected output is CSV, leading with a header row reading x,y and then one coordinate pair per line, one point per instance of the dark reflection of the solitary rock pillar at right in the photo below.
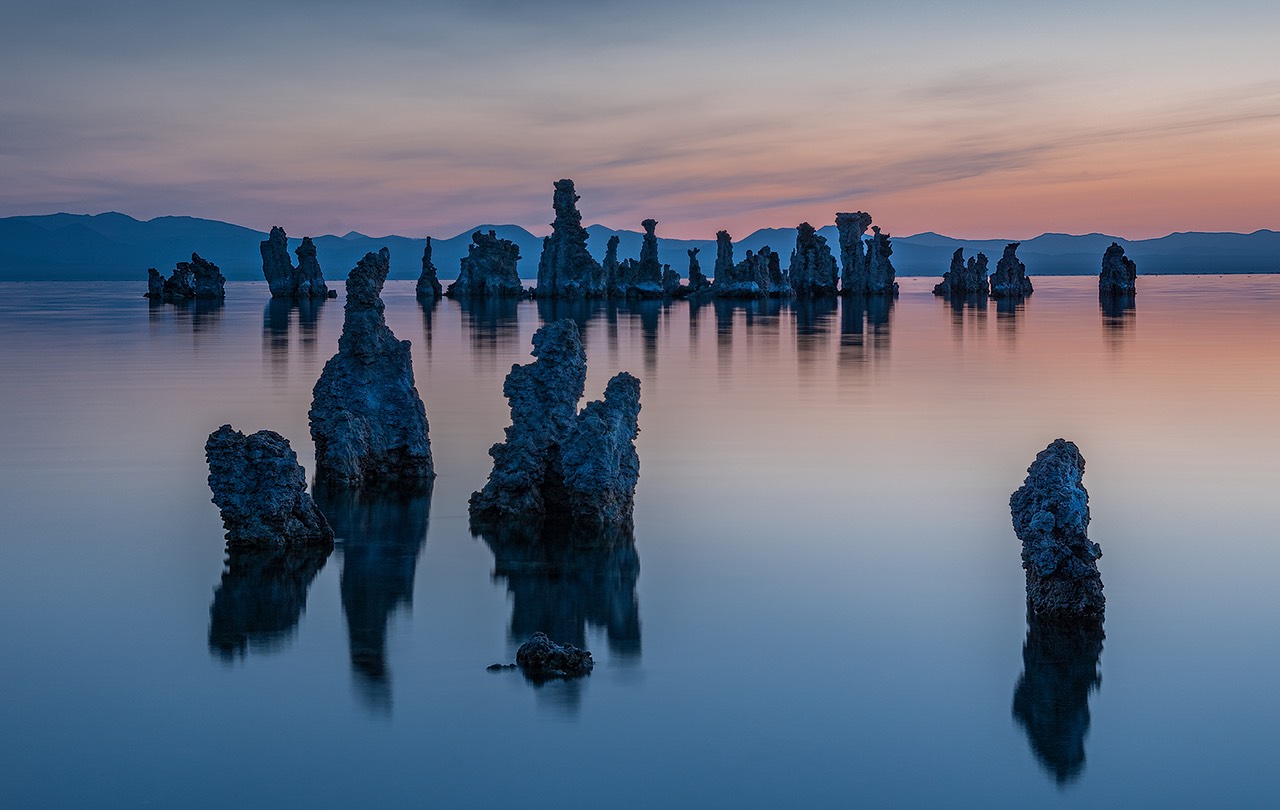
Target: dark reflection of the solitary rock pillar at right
x,y
1052,701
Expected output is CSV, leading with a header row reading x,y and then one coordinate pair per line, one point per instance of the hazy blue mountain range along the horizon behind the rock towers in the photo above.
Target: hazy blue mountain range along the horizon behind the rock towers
x,y
67,248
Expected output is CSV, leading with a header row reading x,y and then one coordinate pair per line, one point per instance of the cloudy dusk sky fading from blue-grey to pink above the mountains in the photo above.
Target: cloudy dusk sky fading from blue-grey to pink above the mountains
x,y
989,120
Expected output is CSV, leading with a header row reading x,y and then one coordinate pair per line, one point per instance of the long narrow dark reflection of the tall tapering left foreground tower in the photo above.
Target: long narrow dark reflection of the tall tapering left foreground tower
x,y
381,537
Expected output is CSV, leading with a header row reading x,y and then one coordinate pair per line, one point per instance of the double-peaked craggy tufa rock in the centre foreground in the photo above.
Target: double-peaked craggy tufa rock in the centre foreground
x,y
556,463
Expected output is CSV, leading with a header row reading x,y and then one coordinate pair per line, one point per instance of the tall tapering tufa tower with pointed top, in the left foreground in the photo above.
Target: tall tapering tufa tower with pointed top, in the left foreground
x,y
368,422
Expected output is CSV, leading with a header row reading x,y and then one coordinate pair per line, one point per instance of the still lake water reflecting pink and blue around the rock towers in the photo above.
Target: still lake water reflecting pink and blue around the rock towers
x,y
824,605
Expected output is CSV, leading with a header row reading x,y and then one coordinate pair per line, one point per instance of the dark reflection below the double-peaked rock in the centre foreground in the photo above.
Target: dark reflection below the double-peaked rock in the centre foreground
x,y
563,583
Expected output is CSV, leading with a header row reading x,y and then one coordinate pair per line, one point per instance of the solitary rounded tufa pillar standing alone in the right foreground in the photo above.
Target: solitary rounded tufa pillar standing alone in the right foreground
x,y
1052,518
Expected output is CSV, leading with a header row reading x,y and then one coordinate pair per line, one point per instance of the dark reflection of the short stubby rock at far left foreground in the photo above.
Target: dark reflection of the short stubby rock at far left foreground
x,y
260,601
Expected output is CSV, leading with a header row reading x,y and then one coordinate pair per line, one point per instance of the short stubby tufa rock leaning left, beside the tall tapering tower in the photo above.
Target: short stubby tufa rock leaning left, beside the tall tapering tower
x,y
262,492
